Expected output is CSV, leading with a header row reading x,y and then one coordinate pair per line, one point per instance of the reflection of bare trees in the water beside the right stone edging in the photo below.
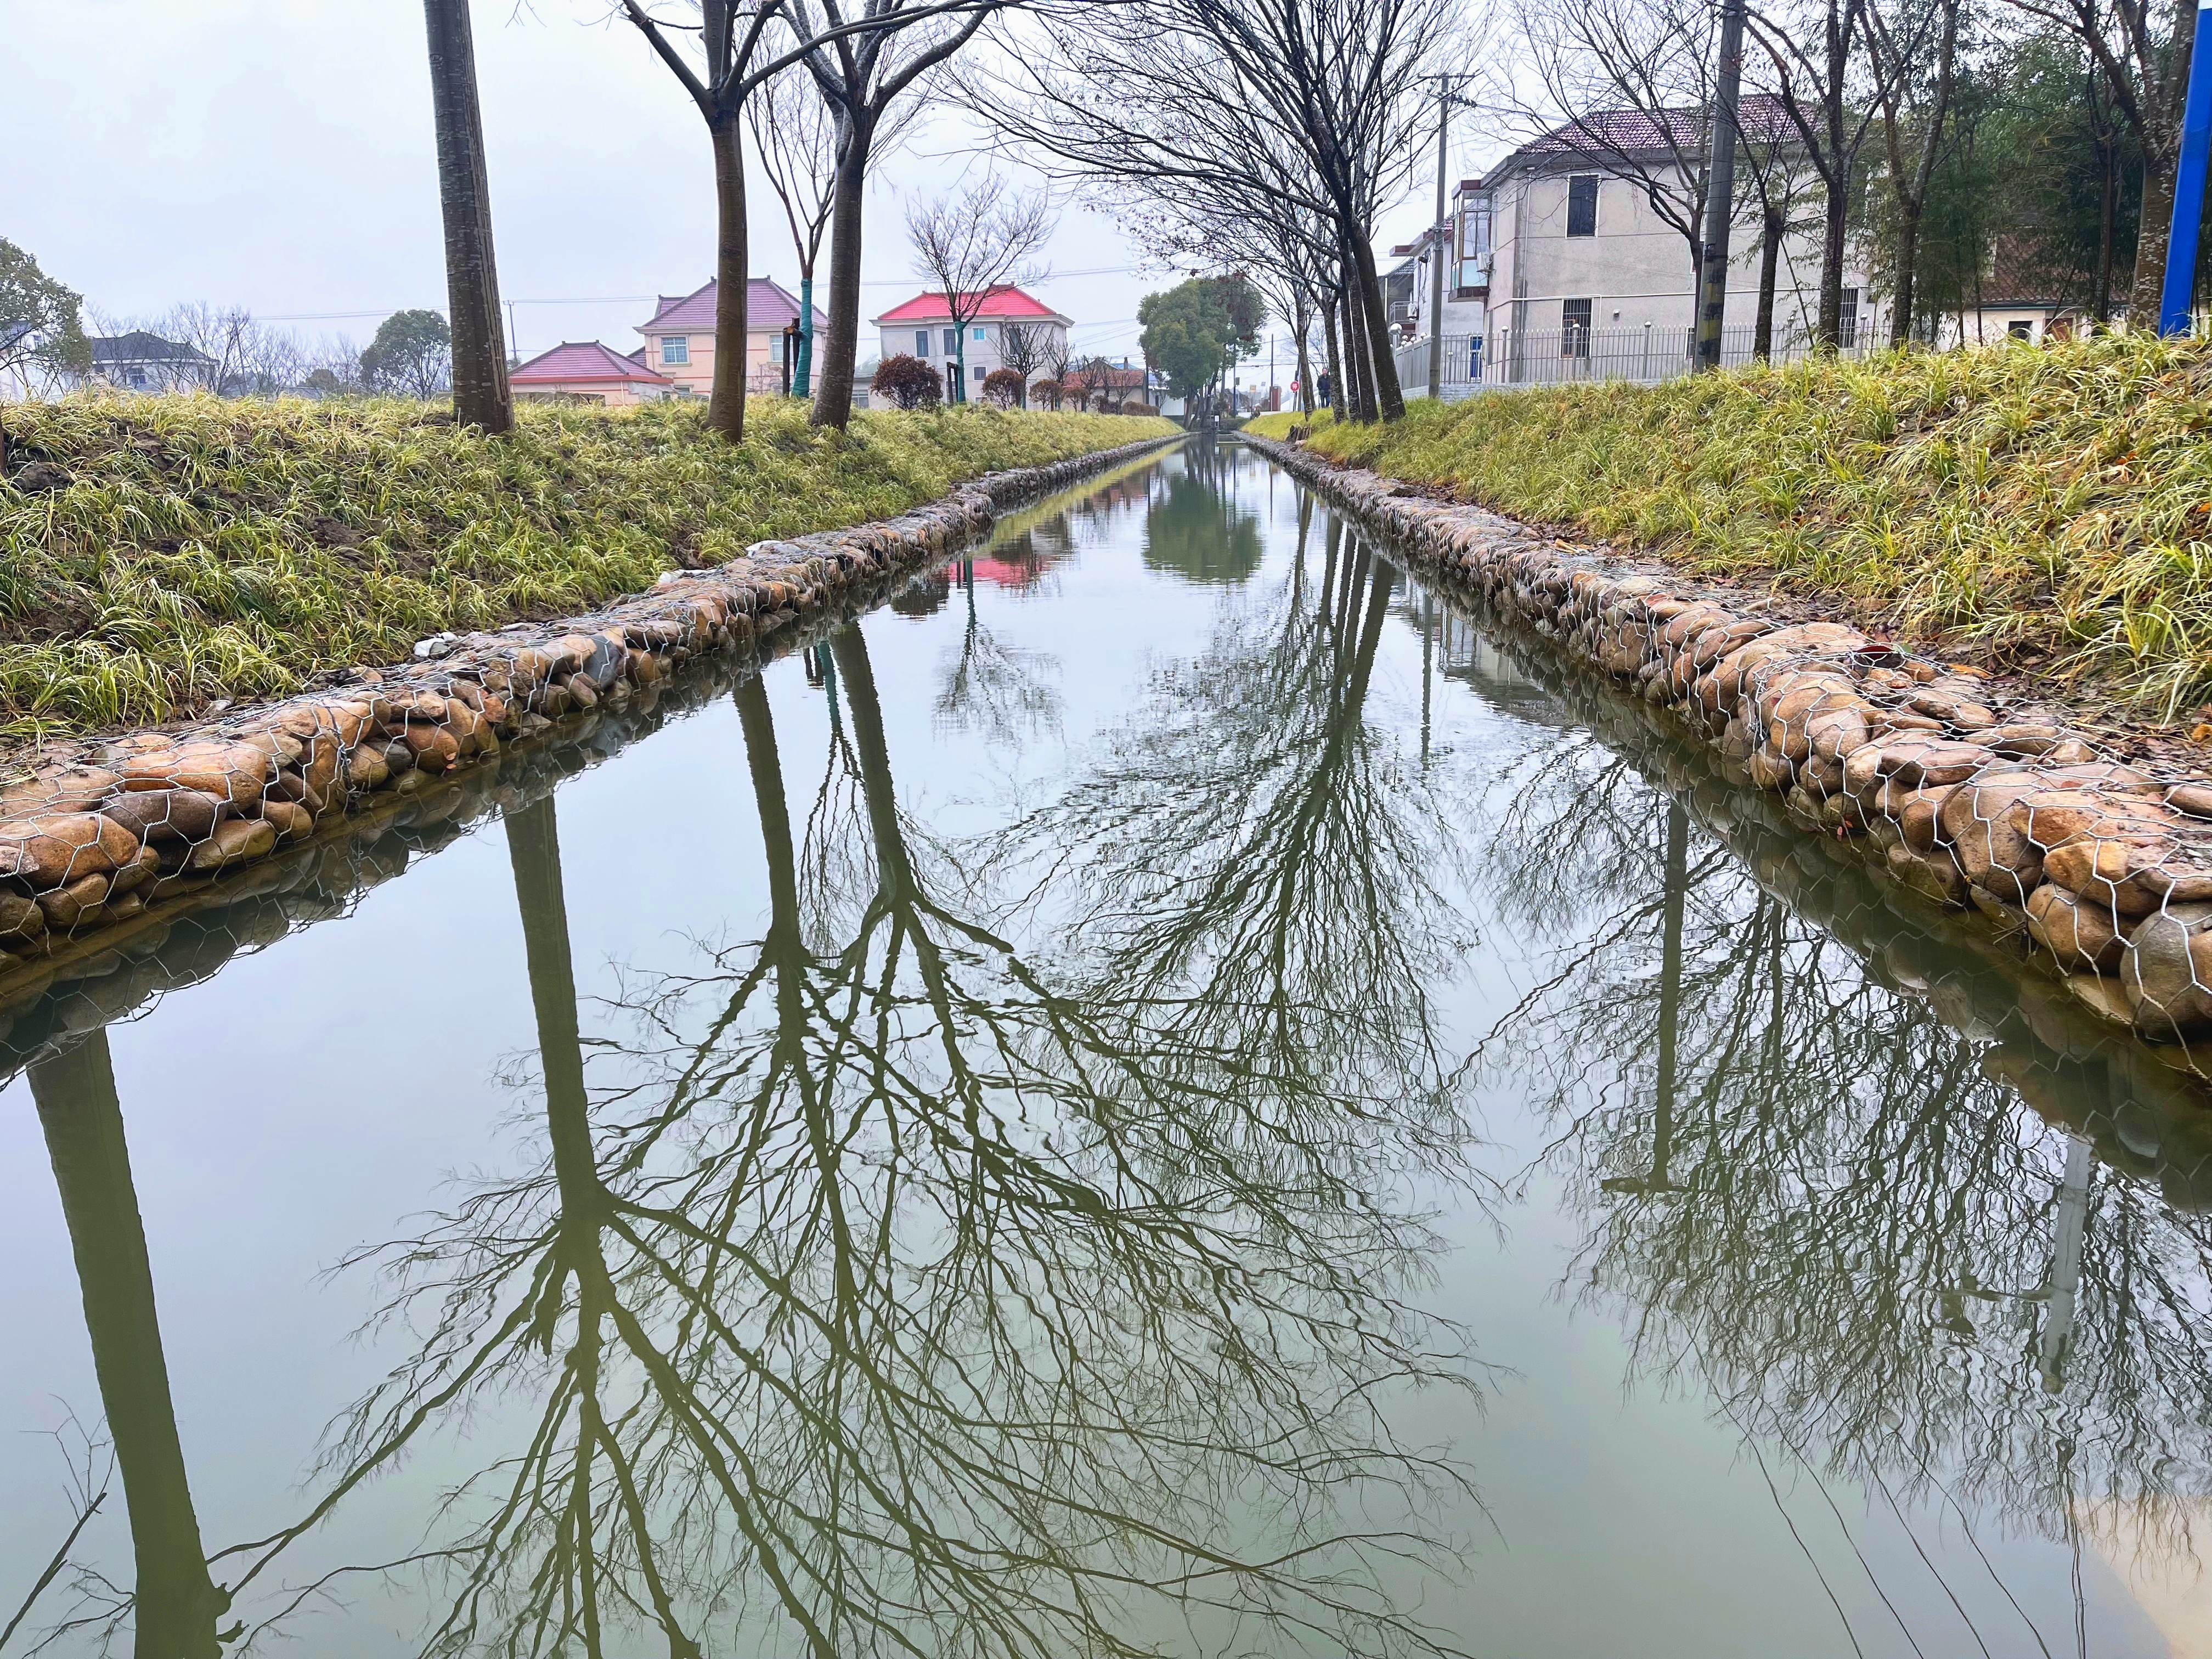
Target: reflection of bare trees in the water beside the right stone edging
x,y
1824,1204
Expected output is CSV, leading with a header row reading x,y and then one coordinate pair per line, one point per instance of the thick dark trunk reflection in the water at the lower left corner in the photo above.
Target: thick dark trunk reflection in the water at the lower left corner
x,y
176,1603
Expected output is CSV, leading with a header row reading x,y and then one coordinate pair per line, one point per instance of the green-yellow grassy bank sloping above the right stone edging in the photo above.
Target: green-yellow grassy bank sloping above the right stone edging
x,y
2043,508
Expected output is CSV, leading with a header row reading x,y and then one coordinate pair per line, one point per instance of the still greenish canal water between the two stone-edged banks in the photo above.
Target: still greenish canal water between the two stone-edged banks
x,y
1169,1089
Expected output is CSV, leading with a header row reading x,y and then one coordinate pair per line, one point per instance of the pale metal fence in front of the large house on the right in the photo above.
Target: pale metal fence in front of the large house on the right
x,y
1558,357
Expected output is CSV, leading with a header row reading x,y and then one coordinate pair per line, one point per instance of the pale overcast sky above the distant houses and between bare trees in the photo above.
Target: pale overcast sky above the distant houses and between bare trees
x,y
278,156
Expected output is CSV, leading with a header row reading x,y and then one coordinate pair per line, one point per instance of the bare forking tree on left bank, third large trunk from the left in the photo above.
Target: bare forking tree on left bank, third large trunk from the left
x,y
862,72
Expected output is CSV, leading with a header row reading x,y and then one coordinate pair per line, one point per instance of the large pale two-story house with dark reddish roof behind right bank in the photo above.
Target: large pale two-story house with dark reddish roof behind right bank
x,y
1576,273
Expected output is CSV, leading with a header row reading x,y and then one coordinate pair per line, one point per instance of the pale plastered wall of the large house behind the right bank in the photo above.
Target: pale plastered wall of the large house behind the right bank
x,y
1636,271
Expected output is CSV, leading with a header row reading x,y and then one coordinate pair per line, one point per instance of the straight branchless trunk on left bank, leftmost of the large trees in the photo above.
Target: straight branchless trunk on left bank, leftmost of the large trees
x,y
472,280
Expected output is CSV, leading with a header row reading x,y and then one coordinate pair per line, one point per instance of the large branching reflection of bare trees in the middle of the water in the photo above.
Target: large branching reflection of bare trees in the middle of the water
x,y
910,1295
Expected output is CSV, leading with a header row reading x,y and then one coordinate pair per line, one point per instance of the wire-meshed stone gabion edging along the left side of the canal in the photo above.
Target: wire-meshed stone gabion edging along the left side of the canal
x,y
109,828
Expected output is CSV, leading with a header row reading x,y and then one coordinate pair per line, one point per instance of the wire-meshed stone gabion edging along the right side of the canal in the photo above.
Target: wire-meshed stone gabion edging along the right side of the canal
x,y
1959,791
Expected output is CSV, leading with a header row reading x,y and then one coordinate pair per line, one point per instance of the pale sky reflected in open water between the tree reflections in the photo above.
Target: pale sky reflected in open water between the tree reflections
x,y
315,1096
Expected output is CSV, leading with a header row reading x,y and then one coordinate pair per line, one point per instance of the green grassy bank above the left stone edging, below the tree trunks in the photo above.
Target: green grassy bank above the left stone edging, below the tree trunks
x,y
165,552
